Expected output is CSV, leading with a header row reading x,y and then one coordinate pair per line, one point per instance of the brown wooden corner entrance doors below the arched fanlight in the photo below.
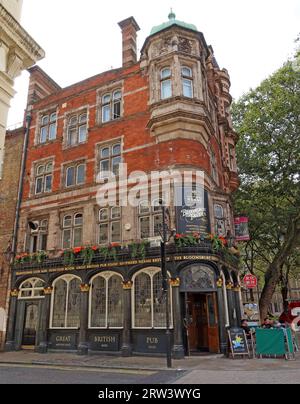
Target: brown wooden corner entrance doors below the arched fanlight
x,y
202,324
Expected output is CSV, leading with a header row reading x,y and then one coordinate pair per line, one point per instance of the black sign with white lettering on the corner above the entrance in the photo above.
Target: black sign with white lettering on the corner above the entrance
x,y
192,214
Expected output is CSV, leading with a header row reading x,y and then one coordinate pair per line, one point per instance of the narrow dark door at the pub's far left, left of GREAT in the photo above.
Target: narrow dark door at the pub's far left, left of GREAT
x,y
30,326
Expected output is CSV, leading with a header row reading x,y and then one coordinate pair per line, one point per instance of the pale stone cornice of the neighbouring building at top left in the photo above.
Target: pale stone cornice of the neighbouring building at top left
x,y
14,31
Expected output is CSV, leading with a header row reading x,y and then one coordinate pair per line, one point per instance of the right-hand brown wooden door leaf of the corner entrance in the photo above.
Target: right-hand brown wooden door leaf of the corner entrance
x,y
213,327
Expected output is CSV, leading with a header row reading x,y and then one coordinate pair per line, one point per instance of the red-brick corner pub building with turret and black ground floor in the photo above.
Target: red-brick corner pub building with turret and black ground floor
x,y
170,109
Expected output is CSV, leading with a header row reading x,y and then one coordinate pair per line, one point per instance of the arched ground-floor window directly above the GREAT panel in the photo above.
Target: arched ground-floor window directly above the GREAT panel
x,y
65,305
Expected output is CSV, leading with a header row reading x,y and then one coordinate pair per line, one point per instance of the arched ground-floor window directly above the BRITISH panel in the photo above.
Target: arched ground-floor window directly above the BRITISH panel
x,y
106,301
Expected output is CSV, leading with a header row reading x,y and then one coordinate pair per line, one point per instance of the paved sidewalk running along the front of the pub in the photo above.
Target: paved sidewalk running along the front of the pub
x,y
209,362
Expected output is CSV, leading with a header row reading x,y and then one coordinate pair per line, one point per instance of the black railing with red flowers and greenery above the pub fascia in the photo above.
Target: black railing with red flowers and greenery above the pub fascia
x,y
123,255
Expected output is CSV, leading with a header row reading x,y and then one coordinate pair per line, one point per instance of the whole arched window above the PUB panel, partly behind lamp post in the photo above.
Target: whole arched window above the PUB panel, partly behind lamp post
x,y
148,300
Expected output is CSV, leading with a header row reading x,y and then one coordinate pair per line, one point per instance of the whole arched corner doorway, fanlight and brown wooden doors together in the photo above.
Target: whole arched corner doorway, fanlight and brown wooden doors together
x,y
198,288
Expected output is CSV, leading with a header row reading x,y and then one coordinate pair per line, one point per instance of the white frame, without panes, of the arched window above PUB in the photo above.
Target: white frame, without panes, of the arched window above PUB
x,y
151,271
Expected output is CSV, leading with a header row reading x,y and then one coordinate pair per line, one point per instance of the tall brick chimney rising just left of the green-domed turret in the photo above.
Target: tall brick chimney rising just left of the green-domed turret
x,y
129,29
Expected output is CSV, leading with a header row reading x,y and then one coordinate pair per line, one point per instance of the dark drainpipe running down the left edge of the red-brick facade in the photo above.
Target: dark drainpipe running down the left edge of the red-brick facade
x,y
21,185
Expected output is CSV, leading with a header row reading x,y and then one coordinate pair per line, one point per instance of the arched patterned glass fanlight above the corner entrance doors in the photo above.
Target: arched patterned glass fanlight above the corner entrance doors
x,y
198,277
